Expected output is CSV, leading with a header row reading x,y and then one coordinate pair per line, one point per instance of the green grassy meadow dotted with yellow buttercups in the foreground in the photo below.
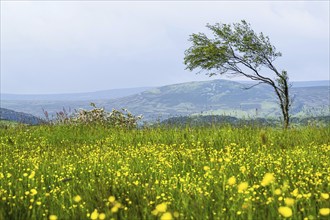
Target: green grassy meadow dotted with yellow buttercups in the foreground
x,y
219,172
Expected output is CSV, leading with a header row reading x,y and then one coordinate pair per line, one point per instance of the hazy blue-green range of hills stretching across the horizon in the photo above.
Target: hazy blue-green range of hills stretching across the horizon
x,y
216,97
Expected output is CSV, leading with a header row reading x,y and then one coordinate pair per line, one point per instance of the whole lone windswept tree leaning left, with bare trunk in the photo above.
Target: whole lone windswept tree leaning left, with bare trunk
x,y
237,50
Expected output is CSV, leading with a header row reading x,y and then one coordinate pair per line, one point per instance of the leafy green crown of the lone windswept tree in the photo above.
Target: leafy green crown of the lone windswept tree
x,y
231,47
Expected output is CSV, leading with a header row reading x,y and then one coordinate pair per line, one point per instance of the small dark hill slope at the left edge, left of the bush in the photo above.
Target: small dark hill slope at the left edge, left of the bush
x,y
10,115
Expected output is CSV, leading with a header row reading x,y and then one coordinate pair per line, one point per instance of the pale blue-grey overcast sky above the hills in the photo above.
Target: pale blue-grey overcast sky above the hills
x,y
52,47
